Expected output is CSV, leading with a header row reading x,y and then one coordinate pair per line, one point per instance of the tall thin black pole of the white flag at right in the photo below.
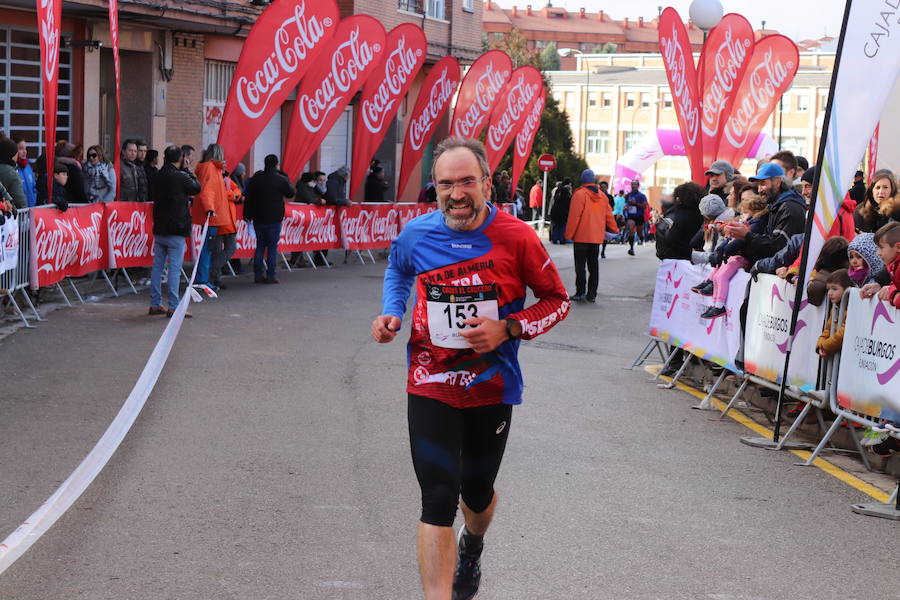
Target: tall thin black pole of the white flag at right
x,y
811,213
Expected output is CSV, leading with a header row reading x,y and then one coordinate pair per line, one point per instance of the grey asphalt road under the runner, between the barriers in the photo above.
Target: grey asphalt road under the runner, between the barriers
x,y
272,461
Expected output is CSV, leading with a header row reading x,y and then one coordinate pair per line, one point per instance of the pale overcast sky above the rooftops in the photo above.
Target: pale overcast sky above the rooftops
x,y
798,19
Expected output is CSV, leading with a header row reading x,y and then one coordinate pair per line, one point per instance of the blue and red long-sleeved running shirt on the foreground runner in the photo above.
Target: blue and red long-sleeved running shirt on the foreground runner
x,y
503,253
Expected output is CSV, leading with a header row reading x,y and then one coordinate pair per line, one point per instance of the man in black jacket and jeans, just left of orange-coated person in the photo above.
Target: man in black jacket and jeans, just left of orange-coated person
x,y
172,188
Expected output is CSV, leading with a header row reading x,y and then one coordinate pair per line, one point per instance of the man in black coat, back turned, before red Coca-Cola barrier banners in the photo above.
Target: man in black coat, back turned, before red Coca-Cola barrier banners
x,y
264,205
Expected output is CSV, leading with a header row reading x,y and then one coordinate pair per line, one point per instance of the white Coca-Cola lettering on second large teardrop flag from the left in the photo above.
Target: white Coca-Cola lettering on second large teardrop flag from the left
x,y
348,62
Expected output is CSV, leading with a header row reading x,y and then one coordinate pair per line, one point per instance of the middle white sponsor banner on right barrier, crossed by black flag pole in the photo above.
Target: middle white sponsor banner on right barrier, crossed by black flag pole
x,y
768,328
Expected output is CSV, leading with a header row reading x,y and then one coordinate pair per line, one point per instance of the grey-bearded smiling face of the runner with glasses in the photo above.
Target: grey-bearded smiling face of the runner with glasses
x,y
462,189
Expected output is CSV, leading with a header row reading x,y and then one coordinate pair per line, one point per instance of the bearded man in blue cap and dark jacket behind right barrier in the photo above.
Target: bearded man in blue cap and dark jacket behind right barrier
x,y
787,210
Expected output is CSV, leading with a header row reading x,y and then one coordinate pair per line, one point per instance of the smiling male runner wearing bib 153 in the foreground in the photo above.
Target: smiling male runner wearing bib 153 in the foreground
x,y
470,265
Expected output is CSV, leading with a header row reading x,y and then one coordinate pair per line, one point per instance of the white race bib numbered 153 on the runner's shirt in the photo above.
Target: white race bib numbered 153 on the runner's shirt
x,y
450,305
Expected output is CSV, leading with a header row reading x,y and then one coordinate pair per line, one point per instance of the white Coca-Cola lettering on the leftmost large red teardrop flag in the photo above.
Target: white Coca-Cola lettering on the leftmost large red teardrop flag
x,y
293,41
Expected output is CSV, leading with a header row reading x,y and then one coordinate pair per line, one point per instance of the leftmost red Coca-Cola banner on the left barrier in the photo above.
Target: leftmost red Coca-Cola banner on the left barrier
x,y
67,244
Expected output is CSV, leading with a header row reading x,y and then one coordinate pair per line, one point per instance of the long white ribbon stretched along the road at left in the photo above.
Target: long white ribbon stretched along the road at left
x,y
53,508
